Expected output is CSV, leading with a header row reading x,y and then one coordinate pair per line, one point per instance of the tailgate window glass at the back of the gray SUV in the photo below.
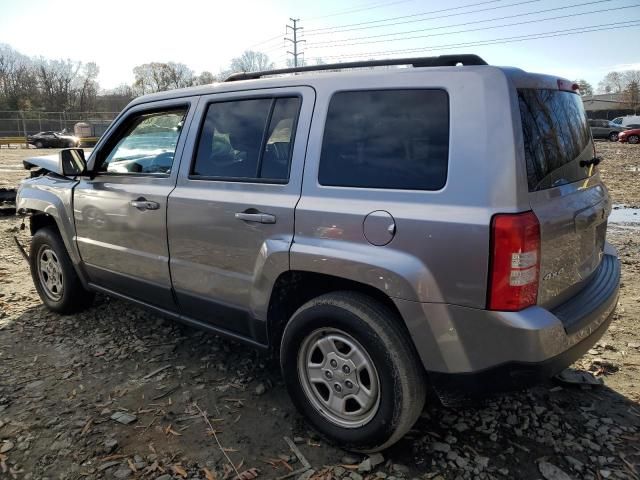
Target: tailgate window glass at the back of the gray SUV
x,y
556,137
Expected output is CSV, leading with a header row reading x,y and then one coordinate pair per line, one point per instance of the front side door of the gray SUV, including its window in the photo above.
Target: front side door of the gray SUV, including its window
x,y
120,213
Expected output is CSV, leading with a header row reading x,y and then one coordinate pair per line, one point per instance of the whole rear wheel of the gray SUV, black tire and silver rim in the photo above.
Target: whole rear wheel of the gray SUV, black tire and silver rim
x,y
352,370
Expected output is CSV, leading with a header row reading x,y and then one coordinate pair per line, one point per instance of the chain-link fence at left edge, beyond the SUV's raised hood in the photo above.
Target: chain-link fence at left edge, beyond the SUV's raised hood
x,y
84,124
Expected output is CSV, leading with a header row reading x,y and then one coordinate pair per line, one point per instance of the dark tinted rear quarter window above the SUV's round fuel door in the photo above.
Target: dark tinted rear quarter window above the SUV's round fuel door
x,y
394,139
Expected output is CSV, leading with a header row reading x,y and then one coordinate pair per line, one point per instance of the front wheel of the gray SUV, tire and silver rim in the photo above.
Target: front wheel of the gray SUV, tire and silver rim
x,y
70,296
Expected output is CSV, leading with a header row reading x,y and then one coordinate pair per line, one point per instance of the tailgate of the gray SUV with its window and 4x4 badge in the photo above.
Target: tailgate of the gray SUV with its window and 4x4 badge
x,y
565,191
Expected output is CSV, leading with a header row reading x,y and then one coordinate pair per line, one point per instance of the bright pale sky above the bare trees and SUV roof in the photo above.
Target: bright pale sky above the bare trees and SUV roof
x,y
206,35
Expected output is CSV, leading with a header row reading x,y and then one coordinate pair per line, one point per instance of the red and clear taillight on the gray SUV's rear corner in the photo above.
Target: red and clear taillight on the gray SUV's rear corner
x,y
515,261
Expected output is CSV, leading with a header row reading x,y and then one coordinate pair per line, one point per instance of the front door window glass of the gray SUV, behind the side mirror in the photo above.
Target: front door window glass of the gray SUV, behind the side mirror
x,y
147,144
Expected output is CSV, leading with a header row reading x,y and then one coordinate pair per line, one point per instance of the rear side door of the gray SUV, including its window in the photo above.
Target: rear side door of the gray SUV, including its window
x,y
230,218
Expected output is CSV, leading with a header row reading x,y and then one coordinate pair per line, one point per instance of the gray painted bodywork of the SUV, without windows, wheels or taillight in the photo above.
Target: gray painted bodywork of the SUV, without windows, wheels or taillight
x,y
434,268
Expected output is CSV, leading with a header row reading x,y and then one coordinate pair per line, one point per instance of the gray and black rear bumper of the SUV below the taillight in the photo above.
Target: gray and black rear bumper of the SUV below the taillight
x,y
478,351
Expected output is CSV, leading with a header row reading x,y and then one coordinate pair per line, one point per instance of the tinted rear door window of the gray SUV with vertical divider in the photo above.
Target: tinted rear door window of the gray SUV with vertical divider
x,y
247,139
